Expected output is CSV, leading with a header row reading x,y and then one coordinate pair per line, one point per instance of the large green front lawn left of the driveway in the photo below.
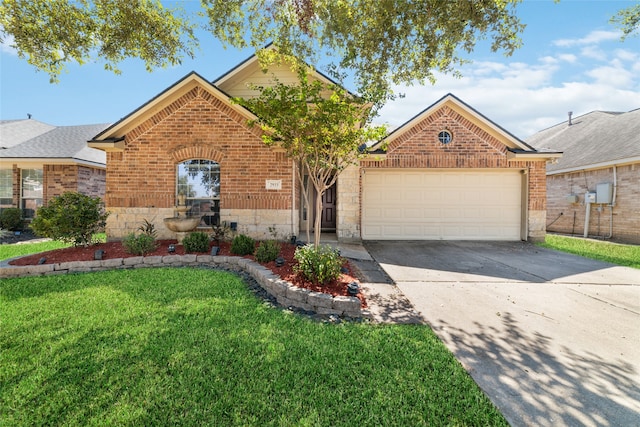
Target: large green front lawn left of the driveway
x,y
195,347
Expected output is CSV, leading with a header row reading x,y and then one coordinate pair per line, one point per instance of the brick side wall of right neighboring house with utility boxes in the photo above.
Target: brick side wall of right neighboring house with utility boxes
x,y
622,220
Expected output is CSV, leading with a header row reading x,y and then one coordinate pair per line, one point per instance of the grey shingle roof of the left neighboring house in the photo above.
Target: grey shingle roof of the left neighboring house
x,y
60,144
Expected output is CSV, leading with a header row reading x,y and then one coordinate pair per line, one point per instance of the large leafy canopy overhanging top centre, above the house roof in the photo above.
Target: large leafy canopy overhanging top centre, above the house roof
x,y
378,42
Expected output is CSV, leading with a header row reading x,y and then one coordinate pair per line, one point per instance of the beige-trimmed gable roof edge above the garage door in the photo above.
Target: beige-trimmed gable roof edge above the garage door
x,y
516,147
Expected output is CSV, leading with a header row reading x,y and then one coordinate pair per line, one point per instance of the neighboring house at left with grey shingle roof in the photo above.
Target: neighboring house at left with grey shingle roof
x,y
39,161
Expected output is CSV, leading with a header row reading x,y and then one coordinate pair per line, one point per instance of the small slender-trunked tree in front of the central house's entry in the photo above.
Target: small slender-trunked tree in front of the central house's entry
x,y
321,126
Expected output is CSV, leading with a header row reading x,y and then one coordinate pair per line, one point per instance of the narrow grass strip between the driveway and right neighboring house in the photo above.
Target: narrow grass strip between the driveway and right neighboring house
x,y
625,255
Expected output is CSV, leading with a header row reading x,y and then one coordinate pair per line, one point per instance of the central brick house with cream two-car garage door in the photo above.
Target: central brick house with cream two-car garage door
x,y
449,173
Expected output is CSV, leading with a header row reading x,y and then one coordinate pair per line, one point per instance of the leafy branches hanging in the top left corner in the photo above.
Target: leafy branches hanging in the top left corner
x,y
52,33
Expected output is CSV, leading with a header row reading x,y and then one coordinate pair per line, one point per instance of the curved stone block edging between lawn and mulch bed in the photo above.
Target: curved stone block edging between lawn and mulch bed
x,y
286,294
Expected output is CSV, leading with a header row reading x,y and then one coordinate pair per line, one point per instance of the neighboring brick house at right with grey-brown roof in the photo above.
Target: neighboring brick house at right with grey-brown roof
x,y
598,177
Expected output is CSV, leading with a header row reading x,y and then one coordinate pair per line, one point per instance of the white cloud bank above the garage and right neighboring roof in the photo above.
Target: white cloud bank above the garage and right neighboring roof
x,y
526,98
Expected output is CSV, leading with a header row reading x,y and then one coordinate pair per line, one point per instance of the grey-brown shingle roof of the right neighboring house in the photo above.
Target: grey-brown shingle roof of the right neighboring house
x,y
593,140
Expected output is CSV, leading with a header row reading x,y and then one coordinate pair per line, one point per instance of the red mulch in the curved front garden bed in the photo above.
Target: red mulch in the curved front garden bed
x,y
116,250
